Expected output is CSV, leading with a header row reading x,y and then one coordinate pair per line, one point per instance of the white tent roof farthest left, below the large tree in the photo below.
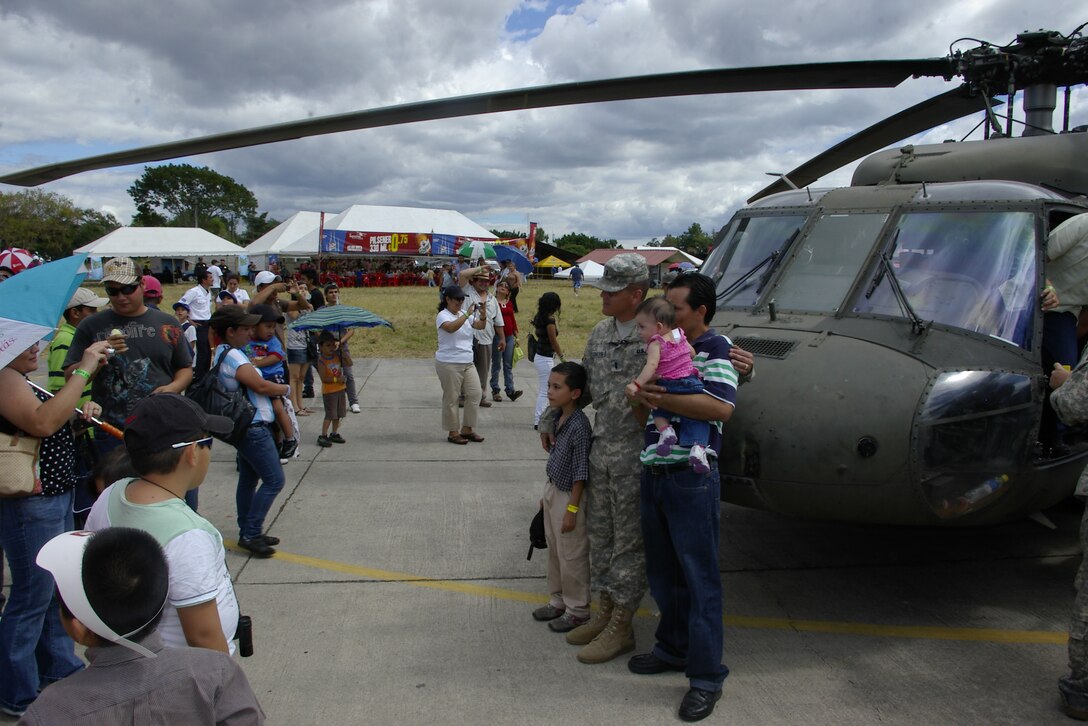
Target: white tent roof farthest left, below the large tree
x,y
170,242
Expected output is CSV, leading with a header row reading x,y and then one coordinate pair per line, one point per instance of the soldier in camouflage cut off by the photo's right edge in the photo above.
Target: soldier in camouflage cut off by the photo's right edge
x,y
1070,401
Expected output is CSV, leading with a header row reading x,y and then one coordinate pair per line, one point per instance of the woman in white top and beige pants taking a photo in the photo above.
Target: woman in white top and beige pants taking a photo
x,y
454,364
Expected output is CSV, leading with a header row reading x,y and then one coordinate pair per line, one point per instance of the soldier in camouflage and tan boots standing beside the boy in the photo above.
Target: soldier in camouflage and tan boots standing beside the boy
x,y
614,356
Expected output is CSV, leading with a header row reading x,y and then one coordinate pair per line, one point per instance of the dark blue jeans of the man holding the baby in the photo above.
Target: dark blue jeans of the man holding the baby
x,y
681,528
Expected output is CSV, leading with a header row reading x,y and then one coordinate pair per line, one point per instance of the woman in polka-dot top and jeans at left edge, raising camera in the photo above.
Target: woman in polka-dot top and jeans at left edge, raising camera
x,y
34,648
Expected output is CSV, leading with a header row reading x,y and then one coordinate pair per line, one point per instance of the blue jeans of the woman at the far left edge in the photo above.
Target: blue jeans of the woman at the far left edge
x,y
34,649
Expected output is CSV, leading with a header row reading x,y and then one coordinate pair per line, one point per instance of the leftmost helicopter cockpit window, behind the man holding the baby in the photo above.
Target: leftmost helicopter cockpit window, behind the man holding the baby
x,y
746,257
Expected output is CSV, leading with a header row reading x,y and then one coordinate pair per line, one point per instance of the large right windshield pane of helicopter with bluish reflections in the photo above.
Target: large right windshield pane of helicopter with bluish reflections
x,y
970,270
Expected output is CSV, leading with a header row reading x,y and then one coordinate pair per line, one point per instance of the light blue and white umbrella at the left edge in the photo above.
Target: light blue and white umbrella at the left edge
x,y
32,303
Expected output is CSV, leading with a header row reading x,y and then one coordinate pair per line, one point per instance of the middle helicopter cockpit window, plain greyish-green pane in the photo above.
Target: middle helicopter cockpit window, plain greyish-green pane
x,y
824,267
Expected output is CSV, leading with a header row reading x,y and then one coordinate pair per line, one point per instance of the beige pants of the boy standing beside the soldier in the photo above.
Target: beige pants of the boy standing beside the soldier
x,y
568,556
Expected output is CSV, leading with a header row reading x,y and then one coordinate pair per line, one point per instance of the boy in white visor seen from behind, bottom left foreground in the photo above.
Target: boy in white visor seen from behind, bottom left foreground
x,y
114,583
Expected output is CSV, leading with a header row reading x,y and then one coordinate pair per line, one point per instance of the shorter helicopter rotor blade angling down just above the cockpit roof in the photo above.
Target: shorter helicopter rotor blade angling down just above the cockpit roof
x,y
922,117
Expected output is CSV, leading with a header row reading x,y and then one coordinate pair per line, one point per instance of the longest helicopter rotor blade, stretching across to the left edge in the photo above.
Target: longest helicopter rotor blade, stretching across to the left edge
x,y
851,75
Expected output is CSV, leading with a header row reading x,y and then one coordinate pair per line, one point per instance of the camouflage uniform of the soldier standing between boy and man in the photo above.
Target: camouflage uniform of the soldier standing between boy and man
x,y
613,519
